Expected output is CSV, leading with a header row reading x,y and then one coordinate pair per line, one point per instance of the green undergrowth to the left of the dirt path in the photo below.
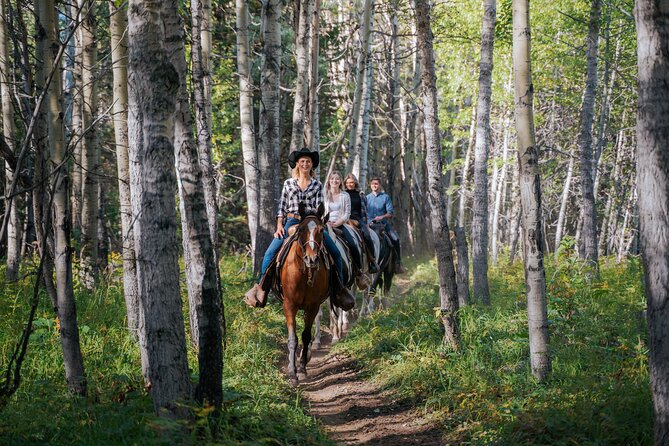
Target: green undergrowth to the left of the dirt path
x,y
260,408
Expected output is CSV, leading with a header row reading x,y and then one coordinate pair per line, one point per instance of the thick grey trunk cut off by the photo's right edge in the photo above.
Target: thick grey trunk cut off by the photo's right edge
x,y
653,186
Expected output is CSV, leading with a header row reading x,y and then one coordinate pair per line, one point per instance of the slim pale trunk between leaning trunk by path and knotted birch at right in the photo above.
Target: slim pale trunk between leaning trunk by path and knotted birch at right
x,y
480,219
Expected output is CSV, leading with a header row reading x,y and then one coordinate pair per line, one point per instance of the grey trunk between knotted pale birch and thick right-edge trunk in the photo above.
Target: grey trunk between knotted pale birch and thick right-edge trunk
x,y
588,240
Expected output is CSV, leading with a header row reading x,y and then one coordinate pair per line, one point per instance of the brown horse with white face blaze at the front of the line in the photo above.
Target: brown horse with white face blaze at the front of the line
x,y
304,283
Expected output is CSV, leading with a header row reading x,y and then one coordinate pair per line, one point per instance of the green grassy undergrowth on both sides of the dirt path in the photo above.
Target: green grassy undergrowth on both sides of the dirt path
x,y
598,393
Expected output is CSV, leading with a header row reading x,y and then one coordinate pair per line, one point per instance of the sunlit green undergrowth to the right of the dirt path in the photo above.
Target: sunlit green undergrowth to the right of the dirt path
x,y
484,394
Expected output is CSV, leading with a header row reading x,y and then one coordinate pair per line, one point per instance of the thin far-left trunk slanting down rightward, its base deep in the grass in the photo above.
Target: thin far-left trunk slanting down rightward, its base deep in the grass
x,y
66,308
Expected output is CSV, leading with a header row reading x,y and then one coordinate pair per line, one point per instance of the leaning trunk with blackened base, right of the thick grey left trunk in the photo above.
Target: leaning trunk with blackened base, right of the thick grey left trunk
x,y
204,291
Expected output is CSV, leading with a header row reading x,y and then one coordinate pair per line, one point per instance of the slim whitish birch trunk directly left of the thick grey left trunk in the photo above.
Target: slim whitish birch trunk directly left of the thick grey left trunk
x,y
119,54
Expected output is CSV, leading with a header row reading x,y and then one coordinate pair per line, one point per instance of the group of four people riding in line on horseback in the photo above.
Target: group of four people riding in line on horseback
x,y
350,211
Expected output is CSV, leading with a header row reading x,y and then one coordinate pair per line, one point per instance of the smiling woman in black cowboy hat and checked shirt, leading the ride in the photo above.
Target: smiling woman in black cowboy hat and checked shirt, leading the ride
x,y
304,188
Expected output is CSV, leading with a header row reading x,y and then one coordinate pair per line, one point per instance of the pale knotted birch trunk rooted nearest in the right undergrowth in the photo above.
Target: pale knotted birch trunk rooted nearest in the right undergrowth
x,y
530,194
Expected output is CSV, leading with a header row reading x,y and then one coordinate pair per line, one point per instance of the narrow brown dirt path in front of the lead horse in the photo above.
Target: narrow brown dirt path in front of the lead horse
x,y
357,412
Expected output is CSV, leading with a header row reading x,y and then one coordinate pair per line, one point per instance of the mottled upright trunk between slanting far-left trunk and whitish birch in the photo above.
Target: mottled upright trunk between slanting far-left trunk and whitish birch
x,y
90,155
